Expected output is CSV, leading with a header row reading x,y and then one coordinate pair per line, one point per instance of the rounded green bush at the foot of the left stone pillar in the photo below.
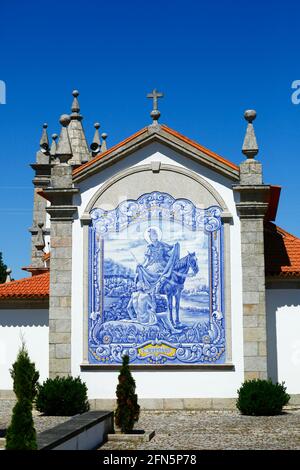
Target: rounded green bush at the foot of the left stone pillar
x,y
62,396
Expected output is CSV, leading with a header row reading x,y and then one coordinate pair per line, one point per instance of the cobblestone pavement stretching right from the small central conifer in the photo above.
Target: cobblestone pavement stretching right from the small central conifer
x,y
199,430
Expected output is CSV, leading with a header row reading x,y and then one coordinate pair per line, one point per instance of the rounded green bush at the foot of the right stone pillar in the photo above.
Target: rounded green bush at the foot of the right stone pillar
x,y
261,398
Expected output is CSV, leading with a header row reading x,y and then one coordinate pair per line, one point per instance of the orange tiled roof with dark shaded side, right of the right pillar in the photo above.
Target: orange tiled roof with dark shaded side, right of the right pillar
x,y
282,252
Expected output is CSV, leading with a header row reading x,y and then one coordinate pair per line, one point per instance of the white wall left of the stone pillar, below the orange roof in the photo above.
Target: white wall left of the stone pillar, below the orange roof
x,y
31,325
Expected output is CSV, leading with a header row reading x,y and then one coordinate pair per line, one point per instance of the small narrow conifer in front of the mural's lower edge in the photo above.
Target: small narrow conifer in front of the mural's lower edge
x,y
128,410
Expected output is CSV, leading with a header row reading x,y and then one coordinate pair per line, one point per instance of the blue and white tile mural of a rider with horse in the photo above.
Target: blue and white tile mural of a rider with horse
x,y
156,283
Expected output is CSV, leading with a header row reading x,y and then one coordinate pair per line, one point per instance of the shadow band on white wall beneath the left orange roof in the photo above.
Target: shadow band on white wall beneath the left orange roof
x,y
25,318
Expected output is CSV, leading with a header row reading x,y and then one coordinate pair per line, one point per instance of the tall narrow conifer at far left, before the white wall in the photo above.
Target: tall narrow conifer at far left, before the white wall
x,y
21,434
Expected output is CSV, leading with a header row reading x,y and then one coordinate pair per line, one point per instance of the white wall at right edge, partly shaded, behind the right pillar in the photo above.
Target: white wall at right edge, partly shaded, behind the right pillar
x,y
283,326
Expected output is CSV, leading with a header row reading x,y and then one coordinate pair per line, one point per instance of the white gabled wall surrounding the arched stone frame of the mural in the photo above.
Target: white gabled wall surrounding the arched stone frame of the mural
x,y
153,383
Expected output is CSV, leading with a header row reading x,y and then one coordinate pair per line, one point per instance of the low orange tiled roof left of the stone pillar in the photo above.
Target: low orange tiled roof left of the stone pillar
x,y
26,288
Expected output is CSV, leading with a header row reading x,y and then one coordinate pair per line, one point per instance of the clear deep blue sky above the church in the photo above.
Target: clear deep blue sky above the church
x,y
212,60
